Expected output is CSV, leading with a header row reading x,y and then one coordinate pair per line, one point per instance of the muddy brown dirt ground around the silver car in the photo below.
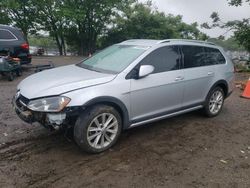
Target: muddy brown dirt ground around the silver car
x,y
185,151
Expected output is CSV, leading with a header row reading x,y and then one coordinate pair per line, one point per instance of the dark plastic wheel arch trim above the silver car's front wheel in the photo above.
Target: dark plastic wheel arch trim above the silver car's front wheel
x,y
114,102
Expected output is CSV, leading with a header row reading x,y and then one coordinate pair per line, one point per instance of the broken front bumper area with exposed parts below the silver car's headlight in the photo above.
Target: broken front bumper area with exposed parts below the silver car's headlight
x,y
49,120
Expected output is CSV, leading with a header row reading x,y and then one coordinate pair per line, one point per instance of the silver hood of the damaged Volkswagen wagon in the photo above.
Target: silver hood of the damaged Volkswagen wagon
x,y
61,80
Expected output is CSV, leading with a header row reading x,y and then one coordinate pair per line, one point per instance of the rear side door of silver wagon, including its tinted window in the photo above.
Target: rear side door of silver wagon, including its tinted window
x,y
198,73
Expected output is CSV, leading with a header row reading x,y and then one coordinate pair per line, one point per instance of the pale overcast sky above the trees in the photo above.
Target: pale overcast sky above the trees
x,y
200,11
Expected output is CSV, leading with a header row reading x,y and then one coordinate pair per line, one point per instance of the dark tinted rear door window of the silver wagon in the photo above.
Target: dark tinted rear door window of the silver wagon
x,y
194,56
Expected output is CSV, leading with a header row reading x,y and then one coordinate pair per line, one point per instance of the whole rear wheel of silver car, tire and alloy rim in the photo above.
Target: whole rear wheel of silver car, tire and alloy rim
x,y
214,102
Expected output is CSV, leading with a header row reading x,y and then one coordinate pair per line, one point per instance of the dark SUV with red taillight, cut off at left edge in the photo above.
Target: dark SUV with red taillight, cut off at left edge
x,y
14,44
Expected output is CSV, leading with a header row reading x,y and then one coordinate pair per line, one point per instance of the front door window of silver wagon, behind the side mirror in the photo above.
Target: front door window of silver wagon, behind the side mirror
x,y
163,59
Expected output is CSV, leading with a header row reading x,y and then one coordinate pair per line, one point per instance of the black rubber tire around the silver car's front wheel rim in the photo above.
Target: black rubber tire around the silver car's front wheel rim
x,y
83,122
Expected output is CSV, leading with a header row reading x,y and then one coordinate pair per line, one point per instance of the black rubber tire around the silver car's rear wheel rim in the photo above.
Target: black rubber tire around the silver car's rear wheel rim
x,y
206,108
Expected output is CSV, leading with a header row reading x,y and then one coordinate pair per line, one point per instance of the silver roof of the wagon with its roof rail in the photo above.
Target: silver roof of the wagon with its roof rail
x,y
148,42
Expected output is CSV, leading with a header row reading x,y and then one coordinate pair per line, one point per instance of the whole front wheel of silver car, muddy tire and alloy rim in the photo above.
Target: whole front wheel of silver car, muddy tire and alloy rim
x,y
98,128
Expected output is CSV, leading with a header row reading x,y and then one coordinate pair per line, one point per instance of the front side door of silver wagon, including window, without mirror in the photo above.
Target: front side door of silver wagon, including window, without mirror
x,y
160,92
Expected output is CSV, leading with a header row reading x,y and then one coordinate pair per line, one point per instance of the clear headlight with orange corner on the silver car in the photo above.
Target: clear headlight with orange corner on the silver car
x,y
51,104
